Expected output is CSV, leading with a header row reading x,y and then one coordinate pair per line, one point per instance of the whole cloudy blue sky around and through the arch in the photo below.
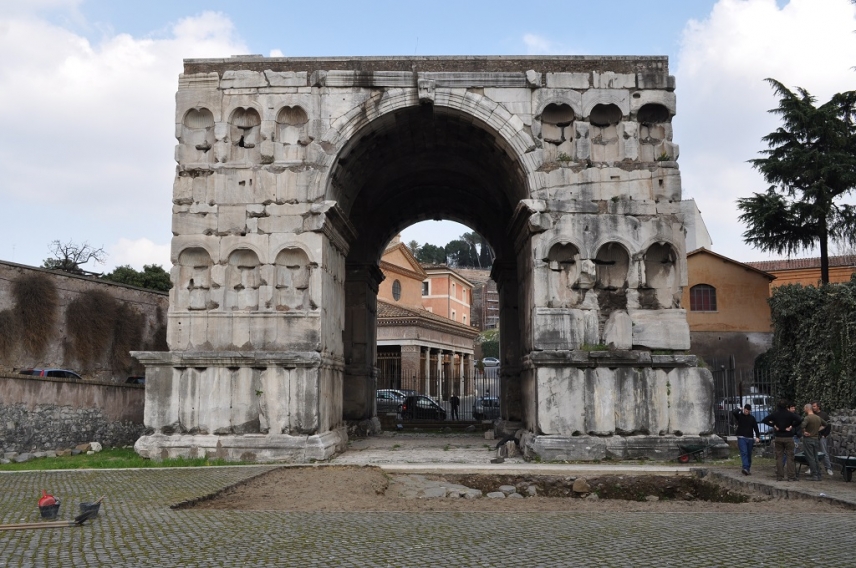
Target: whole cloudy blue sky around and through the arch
x,y
87,91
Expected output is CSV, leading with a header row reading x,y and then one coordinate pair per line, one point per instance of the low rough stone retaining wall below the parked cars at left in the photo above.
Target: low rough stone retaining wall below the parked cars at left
x,y
46,414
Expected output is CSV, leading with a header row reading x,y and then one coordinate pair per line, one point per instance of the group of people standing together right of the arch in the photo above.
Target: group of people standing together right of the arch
x,y
791,431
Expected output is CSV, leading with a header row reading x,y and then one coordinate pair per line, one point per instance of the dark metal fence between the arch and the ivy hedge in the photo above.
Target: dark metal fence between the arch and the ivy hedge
x,y
734,388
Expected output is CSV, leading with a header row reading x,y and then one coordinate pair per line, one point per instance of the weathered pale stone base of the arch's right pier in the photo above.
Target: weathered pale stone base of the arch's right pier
x,y
582,405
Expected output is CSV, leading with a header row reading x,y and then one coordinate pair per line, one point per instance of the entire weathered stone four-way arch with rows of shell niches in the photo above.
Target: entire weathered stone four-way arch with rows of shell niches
x,y
294,174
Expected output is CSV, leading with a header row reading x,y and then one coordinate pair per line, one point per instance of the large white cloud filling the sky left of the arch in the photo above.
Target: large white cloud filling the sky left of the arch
x,y
89,131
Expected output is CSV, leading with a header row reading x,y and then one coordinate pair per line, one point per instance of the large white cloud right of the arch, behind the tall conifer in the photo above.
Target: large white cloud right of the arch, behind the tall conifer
x,y
723,99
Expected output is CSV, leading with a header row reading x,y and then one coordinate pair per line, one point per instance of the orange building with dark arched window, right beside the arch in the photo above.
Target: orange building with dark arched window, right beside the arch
x,y
727,309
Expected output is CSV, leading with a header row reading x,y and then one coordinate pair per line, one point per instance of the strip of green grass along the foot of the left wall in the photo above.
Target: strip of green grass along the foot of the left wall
x,y
113,458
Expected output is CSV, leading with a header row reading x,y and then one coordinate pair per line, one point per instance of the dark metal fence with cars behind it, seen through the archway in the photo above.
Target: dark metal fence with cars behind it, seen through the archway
x,y
478,392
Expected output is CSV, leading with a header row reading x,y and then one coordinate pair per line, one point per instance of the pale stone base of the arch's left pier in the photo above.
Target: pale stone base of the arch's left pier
x,y
242,406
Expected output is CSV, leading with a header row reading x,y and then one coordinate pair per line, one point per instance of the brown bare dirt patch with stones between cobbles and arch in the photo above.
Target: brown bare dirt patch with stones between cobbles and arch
x,y
355,488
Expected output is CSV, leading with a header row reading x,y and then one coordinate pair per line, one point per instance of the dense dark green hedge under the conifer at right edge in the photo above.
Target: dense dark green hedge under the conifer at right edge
x,y
814,343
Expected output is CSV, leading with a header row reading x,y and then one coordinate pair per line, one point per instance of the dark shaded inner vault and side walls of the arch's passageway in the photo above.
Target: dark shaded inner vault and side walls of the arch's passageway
x,y
419,163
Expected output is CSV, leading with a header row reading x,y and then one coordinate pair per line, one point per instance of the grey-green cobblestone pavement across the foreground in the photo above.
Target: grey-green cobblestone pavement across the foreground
x,y
137,528
